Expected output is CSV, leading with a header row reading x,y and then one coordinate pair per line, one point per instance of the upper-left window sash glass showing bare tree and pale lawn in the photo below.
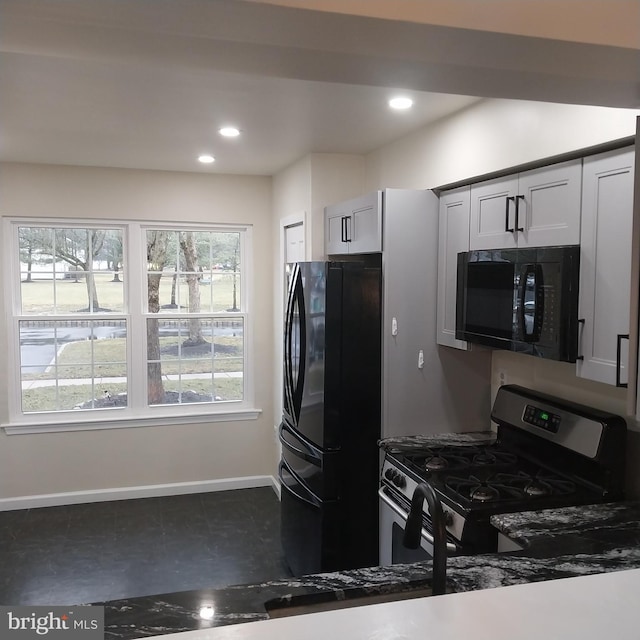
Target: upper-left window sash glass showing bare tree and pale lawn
x,y
70,270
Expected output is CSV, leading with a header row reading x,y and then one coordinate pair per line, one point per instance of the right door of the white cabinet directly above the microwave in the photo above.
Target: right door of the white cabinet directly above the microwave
x,y
548,205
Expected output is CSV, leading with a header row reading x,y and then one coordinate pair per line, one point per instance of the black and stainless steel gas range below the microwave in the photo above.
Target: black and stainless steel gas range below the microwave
x,y
547,453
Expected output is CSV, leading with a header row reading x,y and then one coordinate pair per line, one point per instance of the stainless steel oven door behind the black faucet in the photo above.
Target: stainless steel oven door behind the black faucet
x,y
393,518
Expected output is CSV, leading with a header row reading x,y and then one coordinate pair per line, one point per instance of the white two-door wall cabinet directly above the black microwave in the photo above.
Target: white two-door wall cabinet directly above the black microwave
x,y
535,208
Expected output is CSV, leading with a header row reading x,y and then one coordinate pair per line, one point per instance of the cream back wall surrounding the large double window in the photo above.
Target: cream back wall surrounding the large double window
x,y
94,460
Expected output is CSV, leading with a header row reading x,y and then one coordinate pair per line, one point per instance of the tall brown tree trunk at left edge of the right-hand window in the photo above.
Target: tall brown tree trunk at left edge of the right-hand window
x,y
157,242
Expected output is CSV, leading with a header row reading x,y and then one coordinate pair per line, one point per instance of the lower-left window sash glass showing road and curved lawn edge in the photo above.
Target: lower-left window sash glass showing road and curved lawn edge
x,y
73,365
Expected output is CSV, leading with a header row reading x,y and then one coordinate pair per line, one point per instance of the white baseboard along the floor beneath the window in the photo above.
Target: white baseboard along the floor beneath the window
x,y
128,493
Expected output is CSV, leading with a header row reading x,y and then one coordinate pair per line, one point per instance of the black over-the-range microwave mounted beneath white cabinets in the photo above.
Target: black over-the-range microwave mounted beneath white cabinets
x,y
523,300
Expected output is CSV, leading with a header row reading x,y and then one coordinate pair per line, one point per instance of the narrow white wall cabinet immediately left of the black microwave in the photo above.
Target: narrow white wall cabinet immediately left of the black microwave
x,y
453,237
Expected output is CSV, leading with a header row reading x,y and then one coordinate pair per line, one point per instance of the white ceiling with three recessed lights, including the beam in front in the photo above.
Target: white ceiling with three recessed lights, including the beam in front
x,y
146,83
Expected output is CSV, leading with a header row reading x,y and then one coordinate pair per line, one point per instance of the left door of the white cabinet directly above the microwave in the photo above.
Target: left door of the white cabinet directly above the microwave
x,y
493,214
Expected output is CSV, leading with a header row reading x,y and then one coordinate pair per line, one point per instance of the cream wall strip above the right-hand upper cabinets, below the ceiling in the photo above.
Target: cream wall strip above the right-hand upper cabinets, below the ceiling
x,y
492,135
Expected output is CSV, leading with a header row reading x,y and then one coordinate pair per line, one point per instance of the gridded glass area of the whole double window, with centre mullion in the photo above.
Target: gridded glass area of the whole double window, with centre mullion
x,y
82,357
